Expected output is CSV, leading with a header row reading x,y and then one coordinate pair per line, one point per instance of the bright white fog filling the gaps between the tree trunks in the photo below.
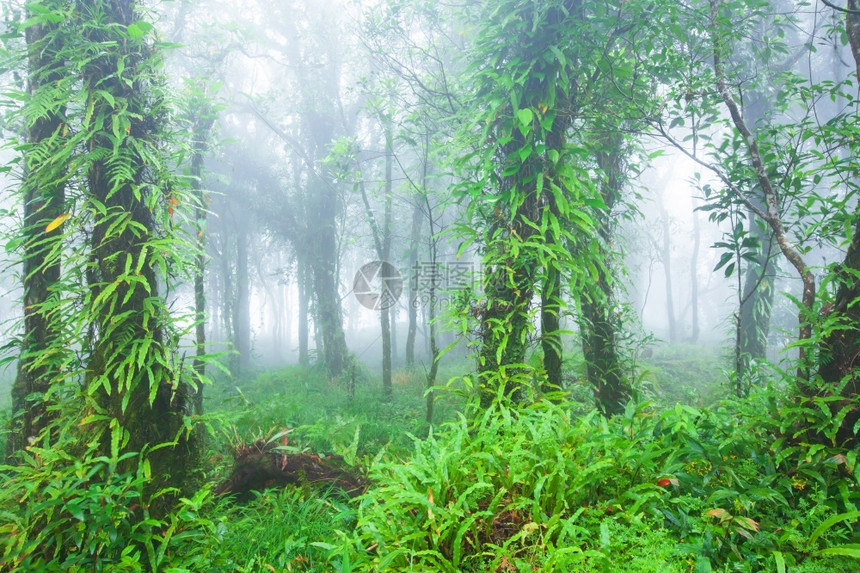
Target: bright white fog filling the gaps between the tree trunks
x,y
309,114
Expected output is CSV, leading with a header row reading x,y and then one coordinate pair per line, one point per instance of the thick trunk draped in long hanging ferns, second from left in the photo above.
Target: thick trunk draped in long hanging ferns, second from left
x,y
130,353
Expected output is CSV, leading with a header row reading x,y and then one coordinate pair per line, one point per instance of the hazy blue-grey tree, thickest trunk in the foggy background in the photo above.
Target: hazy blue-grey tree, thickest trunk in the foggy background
x,y
314,124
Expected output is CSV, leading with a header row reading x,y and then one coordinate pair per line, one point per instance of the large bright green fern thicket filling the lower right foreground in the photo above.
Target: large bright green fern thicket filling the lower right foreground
x,y
532,487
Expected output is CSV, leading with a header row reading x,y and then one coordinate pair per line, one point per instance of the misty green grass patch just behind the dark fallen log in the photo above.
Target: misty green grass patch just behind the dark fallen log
x,y
322,415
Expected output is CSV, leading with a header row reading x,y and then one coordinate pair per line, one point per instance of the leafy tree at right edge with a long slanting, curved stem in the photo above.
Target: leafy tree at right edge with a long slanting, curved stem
x,y
767,172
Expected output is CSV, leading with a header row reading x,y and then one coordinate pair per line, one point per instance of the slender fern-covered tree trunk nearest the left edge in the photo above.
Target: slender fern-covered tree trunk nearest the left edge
x,y
43,193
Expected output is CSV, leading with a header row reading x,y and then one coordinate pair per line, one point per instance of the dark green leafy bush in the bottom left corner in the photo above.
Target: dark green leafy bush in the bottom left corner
x,y
67,508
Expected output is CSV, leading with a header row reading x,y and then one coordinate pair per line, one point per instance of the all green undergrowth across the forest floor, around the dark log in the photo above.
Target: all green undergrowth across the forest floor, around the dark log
x,y
530,487
